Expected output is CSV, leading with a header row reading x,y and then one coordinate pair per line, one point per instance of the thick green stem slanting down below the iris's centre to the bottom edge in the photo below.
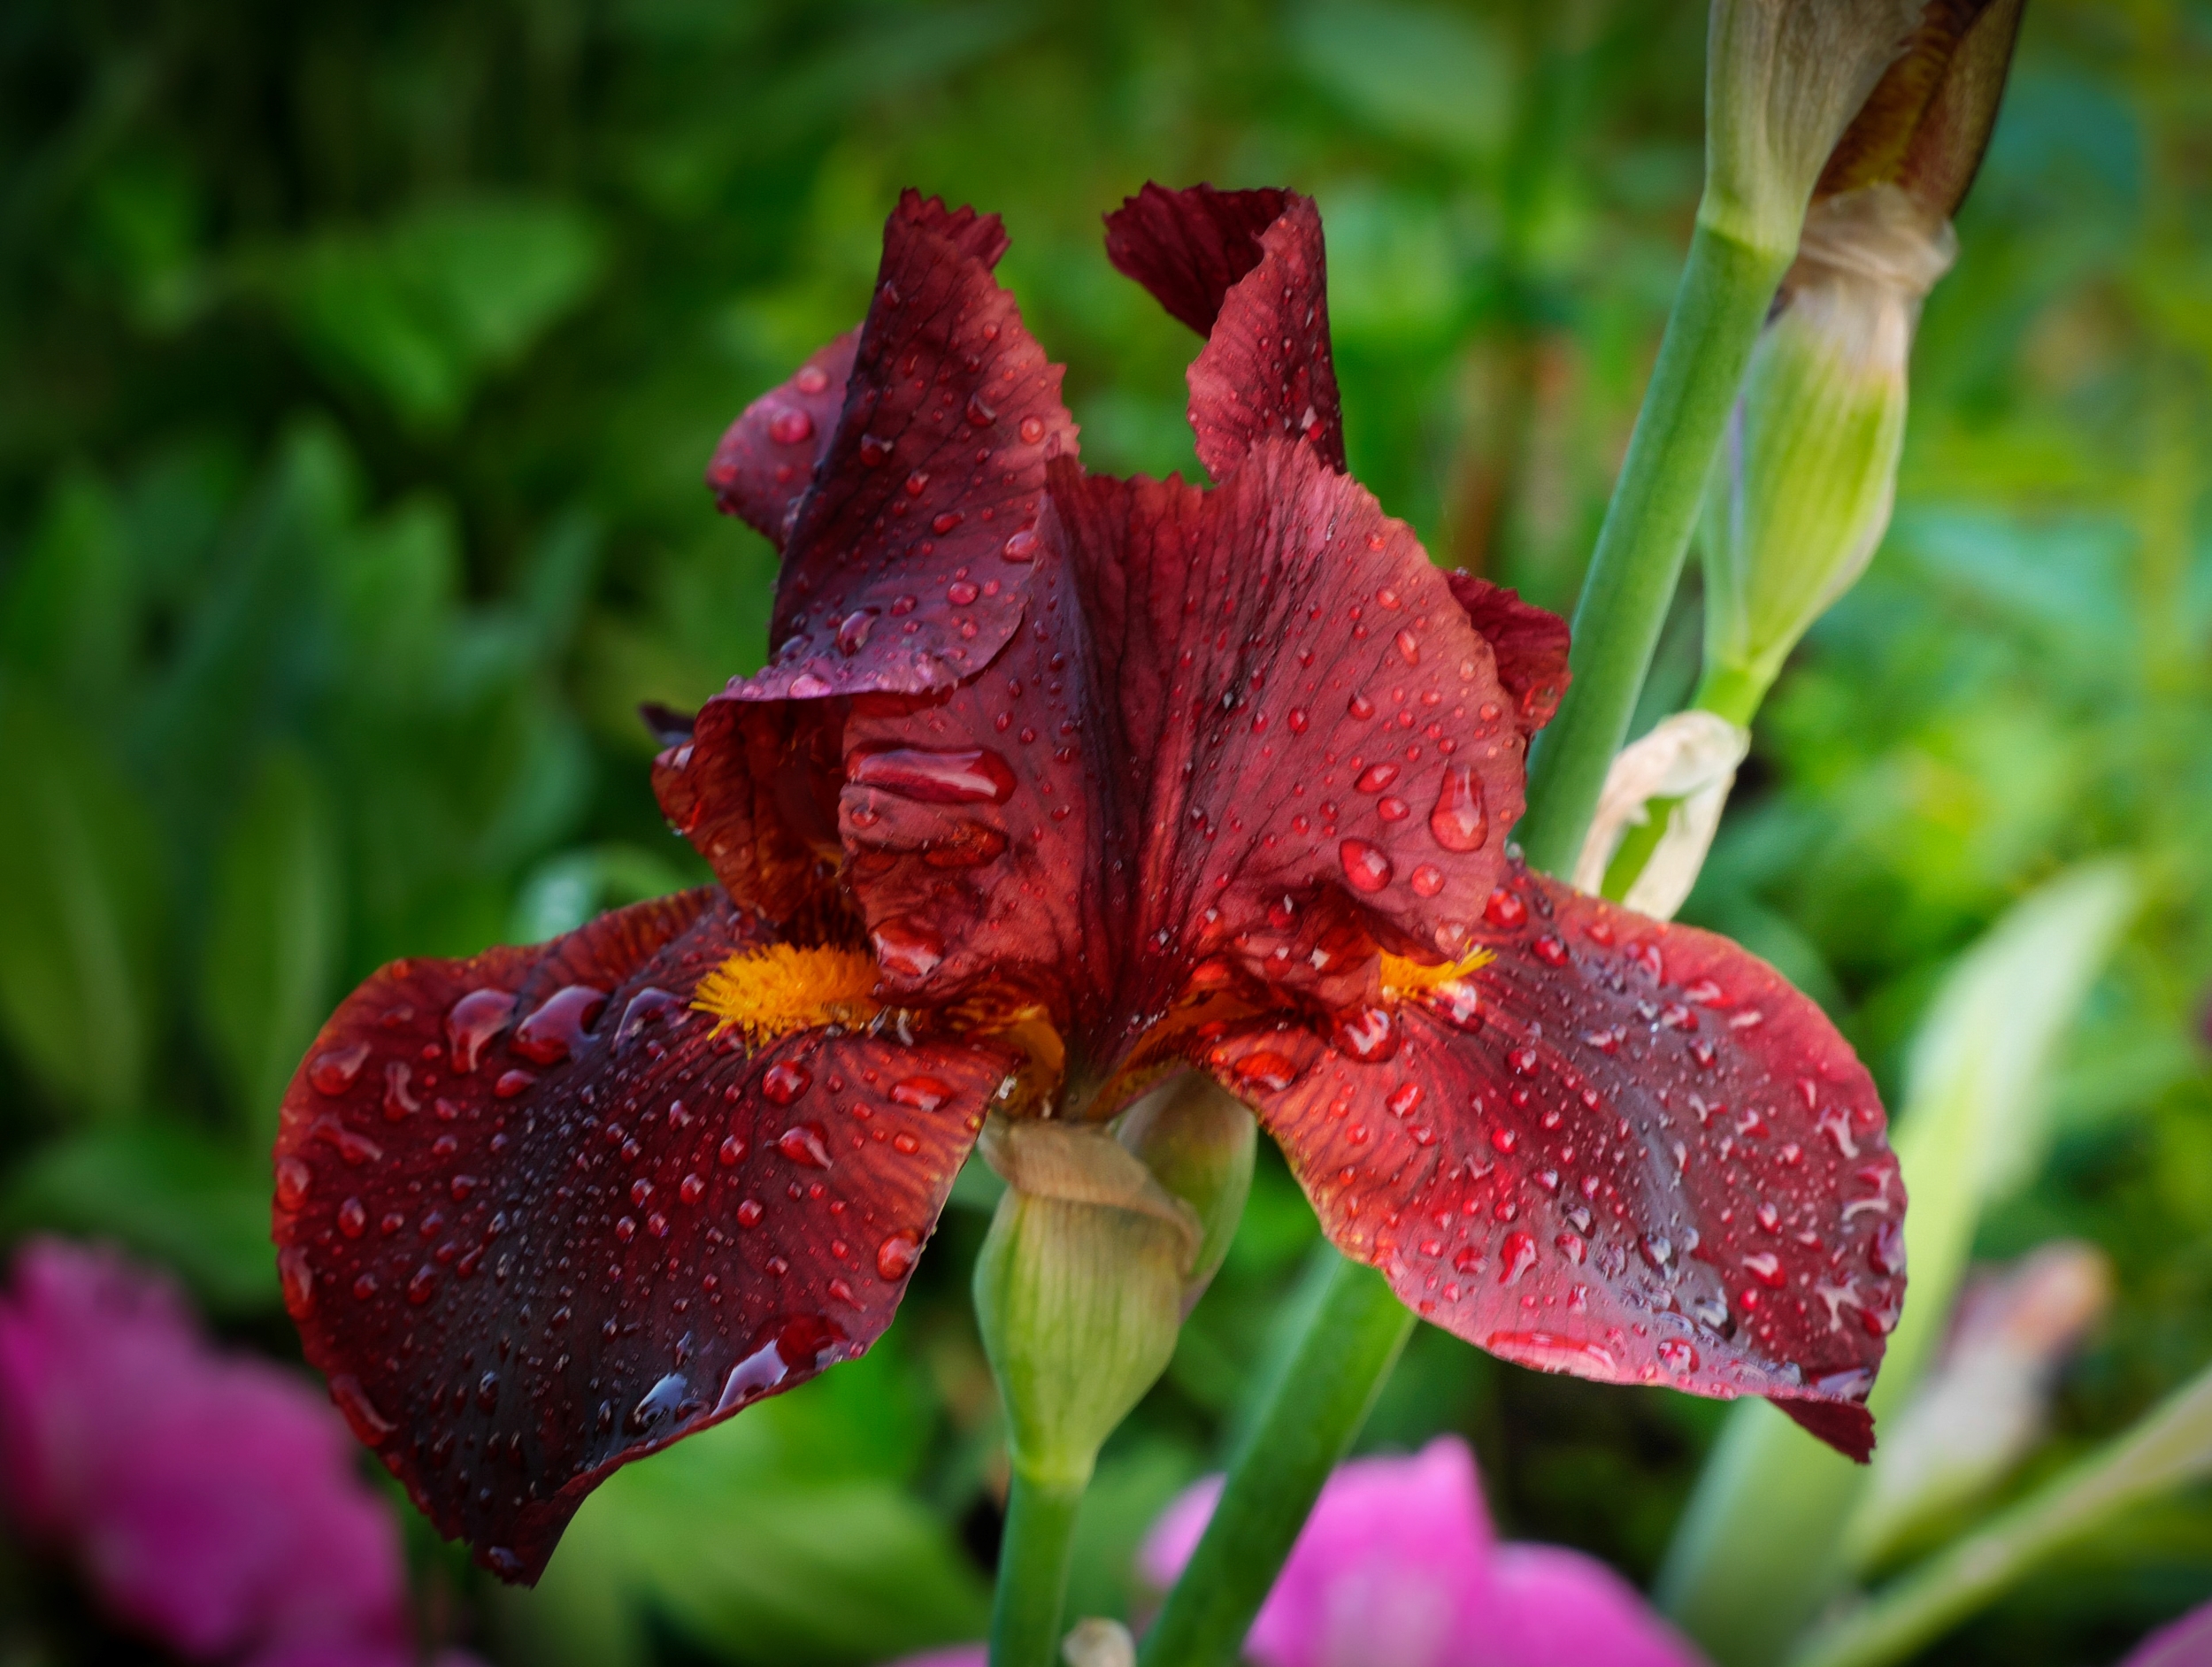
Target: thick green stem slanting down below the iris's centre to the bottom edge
x,y
1306,1423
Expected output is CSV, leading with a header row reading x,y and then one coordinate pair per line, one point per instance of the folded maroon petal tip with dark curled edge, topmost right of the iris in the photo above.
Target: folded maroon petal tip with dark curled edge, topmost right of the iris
x,y
1246,271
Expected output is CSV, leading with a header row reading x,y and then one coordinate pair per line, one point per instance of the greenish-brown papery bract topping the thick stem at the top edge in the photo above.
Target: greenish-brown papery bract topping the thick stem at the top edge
x,y
1784,81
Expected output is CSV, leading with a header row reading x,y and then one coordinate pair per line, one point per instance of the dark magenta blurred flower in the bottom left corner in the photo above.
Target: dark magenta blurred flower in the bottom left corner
x,y
209,1502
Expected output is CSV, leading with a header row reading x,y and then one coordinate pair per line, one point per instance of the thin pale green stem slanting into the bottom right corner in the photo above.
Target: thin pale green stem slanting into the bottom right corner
x,y
2169,1449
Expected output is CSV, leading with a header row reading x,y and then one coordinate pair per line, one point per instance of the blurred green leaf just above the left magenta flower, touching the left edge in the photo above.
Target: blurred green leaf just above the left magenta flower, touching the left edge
x,y
163,1193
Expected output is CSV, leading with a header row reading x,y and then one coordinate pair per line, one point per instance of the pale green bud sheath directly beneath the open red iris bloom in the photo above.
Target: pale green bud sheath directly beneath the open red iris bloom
x,y
1098,1246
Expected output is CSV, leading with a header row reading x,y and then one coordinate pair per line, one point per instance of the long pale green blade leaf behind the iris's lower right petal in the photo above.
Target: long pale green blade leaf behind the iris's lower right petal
x,y
1764,1540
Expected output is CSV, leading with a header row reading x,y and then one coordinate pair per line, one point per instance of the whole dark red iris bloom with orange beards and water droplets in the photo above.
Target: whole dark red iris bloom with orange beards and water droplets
x,y
1058,784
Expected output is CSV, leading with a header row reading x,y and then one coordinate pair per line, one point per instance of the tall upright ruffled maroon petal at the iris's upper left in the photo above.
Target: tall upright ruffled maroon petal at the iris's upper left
x,y
932,483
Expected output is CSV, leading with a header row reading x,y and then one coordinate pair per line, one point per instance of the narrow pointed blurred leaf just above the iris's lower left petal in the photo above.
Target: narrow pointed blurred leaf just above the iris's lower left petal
x,y
273,939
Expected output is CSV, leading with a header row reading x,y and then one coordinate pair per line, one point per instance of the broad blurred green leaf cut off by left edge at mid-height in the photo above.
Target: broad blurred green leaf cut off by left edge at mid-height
x,y
81,912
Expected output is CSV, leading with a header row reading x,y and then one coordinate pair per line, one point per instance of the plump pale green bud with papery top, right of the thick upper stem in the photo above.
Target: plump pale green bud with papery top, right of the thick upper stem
x,y
1811,468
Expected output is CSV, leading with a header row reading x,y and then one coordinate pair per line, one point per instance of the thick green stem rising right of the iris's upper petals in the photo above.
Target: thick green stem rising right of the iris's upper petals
x,y
1726,291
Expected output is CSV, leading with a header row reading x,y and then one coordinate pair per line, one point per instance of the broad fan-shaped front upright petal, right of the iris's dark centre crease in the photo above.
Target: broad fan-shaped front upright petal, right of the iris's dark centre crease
x,y
1308,724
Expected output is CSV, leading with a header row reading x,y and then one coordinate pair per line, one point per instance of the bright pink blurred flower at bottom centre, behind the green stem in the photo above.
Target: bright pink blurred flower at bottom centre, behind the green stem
x,y
1399,1569
